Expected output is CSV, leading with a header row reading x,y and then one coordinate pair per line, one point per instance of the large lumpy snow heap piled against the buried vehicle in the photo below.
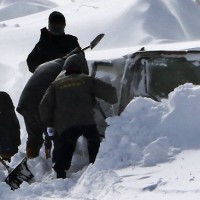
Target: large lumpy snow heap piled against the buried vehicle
x,y
150,132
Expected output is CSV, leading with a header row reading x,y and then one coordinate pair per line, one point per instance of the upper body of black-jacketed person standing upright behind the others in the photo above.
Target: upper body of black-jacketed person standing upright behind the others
x,y
53,43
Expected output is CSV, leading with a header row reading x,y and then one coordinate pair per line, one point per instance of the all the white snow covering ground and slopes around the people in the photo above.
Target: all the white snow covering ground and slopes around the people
x,y
152,150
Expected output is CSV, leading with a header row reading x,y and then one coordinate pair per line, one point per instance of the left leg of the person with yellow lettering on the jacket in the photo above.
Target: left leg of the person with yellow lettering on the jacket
x,y
64,147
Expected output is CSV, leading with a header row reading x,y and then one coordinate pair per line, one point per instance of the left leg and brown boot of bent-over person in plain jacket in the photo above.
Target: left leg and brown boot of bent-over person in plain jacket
x,y
35,134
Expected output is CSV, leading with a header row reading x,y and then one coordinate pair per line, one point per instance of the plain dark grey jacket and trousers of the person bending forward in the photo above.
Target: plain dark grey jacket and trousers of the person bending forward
x,y
32,94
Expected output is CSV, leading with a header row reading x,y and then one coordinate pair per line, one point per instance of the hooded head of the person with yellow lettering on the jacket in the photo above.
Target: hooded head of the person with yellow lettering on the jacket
x,y
75,64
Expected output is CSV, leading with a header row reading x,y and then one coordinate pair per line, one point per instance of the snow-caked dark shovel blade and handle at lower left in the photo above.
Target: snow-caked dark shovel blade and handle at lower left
x,y
17,175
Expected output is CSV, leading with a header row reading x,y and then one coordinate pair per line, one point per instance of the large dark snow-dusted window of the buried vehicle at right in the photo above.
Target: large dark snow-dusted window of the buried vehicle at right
x,y
163,75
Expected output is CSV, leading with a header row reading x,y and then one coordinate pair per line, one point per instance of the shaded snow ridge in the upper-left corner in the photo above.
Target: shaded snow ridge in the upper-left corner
x,y
10,9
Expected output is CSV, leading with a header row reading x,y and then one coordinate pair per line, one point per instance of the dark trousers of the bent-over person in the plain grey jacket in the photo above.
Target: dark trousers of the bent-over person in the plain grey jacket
x,y
35,130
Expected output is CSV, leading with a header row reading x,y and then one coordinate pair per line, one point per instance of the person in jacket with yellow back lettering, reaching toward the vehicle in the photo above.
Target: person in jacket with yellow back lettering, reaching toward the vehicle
x,y
67,108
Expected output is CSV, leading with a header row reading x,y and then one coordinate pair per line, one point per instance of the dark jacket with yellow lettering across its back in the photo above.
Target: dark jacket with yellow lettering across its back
x,y
70,101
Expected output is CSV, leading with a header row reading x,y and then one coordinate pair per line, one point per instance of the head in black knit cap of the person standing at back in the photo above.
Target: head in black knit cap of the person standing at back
x,y
57,23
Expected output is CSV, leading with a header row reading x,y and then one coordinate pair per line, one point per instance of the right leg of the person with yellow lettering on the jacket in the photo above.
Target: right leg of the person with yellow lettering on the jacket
x,y
92,135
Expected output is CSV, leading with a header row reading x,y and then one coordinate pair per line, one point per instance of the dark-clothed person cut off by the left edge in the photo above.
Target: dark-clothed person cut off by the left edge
x,y
9,128
